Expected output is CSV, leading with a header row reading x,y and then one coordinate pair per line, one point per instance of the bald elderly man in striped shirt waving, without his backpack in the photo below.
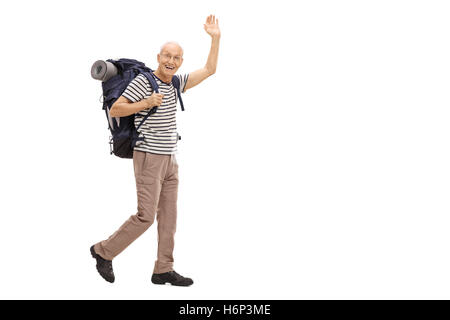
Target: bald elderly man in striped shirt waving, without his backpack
x,y
155,165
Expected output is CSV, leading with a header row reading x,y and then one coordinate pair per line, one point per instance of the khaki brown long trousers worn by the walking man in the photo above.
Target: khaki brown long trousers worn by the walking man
x,y
157,192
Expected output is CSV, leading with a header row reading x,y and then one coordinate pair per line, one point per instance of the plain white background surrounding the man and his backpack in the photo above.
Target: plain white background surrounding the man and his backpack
x,y
313,165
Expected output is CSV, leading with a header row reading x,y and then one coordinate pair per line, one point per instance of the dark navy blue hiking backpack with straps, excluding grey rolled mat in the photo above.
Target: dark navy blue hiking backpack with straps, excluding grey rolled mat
x,y
124,133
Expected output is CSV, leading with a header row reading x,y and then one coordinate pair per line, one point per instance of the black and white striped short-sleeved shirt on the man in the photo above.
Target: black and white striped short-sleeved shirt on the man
x,y
160,129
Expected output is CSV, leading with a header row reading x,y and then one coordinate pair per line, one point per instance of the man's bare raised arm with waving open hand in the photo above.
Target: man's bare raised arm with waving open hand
x,y
212,28
